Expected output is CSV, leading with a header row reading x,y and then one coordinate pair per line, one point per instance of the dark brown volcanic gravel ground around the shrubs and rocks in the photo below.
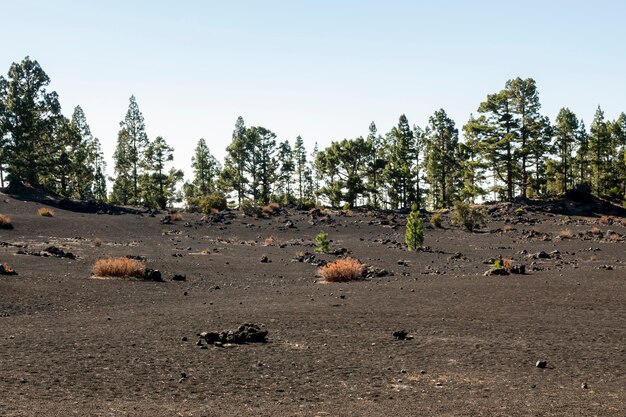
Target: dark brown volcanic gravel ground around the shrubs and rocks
x,y
71,344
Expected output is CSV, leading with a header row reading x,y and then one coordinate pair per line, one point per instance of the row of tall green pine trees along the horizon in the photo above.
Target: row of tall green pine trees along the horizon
x,y
508,150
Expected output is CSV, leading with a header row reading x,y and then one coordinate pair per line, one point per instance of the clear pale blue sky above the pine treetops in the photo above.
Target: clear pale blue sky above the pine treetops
x,y
320,69
